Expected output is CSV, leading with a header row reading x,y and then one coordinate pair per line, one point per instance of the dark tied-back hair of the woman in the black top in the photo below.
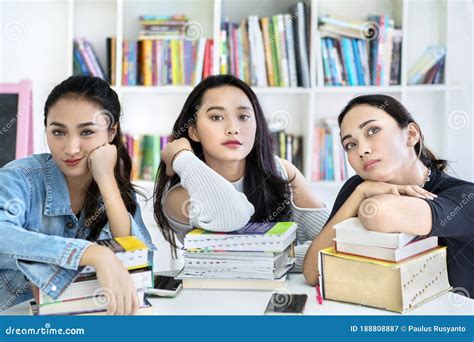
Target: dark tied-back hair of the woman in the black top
x,y
403,117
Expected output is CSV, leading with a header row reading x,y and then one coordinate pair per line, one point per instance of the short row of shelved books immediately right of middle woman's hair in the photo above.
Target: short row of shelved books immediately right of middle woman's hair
x,y
289,146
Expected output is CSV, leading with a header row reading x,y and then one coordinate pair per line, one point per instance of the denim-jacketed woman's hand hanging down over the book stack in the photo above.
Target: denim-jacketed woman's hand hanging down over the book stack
x,y
115,281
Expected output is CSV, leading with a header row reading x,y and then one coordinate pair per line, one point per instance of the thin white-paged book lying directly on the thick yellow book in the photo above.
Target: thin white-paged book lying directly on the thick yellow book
x,y
413,248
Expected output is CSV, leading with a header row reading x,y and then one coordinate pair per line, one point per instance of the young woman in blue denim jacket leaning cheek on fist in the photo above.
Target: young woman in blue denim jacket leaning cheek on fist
x,y
53,206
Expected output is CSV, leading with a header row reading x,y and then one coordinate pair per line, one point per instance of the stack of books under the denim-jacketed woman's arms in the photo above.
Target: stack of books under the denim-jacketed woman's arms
x,y
85,295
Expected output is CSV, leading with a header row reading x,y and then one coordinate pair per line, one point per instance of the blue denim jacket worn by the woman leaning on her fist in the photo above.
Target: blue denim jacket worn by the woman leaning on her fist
x,y
41,239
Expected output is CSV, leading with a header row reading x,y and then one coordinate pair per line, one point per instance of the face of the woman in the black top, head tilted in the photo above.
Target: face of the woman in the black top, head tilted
x,y
377,148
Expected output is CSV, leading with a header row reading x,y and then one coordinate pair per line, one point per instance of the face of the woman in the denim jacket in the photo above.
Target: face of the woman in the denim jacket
x,y
74,128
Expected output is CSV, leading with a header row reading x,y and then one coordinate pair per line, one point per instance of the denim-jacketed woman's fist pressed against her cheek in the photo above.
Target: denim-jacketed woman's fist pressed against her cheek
x,y
102,162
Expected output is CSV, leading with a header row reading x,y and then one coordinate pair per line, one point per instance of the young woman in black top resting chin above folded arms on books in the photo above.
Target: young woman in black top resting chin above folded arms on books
x,y
400,186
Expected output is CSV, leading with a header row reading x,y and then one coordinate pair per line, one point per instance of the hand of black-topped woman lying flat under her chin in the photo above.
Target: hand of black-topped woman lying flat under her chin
x,y
370,189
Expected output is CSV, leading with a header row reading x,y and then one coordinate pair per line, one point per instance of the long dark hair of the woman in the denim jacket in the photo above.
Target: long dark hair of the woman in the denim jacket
x,y
98,91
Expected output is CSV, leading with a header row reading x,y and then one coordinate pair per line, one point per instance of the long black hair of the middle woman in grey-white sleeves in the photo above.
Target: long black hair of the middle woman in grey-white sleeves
x,y
263,186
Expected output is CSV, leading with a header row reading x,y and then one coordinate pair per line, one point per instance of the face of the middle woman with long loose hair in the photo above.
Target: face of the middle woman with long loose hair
x,y
225,124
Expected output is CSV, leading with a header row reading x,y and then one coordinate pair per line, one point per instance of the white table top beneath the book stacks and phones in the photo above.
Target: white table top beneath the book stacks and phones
x,y
212,302
